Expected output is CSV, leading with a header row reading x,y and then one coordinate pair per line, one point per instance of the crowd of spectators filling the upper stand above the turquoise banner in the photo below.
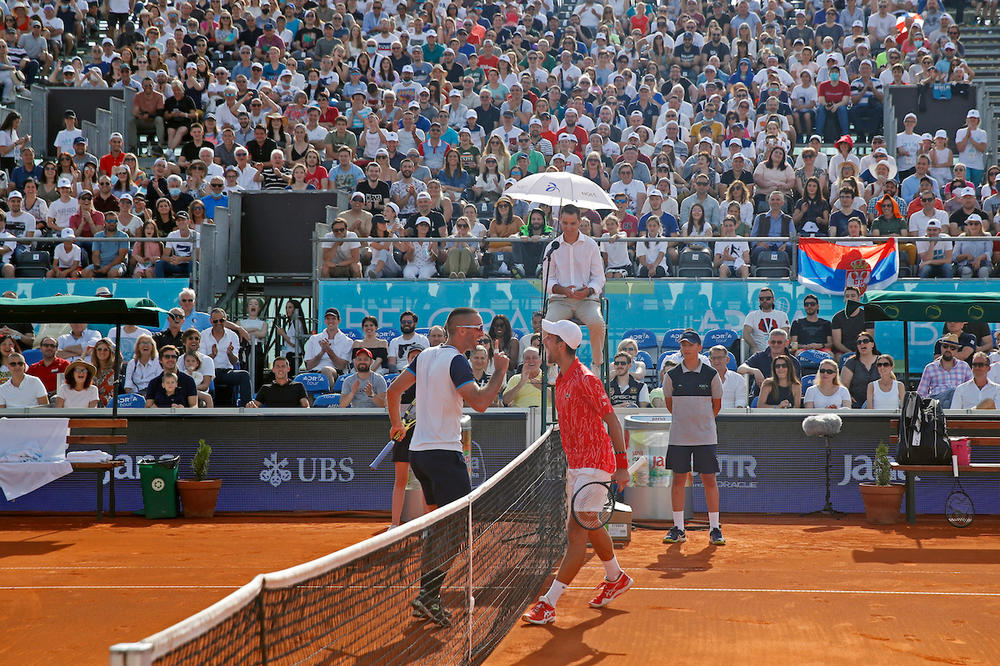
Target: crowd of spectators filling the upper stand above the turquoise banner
x,y
701,118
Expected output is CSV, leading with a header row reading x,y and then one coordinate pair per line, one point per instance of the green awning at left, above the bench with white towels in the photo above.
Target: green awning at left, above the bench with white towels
x,y
81,310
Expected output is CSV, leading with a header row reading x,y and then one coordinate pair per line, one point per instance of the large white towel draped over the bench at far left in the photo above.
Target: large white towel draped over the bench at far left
x,y
32,453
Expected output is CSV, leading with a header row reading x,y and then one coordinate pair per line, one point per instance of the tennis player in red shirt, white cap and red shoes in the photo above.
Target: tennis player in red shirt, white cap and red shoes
x,y
593,454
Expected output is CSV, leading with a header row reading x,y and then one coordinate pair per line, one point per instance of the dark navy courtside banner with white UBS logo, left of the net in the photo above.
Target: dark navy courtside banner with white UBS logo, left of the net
x,y
314,462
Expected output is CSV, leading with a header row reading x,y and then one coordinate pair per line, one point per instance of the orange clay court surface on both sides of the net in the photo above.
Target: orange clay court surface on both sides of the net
x,y
783,590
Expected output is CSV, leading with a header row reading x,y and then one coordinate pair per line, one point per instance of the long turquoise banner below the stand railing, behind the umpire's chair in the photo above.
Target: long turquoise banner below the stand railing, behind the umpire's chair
x,y
658,305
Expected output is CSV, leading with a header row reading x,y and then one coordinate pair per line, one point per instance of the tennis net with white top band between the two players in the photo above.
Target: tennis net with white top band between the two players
x,y
495,547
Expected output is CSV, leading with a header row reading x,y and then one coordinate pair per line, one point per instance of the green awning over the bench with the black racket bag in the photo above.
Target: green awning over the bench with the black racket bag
x,y
930,306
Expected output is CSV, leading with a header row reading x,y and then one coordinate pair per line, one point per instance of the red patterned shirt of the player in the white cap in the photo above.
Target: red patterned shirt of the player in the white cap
x,y
582,403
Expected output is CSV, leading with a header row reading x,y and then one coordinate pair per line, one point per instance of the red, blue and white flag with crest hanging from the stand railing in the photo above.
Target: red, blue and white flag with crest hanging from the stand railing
x,y
832,267
